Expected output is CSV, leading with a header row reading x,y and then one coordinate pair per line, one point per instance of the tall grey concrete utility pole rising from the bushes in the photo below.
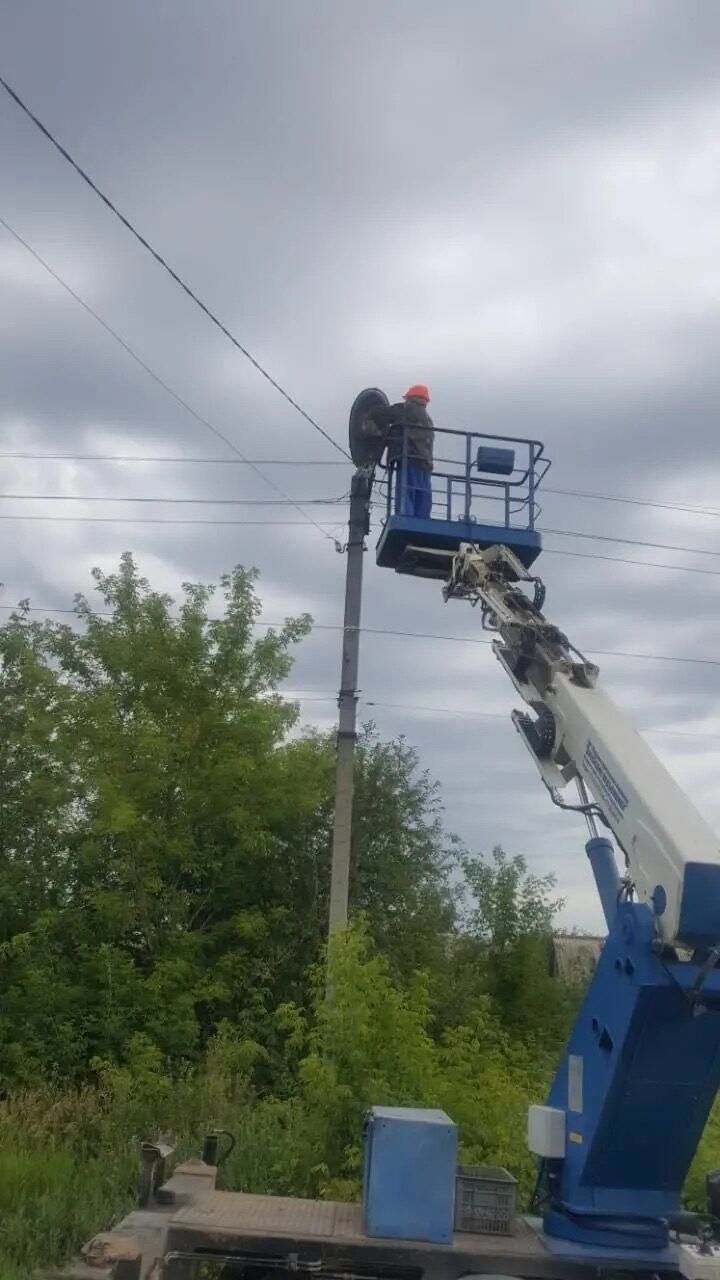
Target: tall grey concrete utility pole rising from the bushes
x,y
359,527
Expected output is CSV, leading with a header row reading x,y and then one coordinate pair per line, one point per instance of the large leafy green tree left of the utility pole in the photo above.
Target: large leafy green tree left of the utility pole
x,y
149,807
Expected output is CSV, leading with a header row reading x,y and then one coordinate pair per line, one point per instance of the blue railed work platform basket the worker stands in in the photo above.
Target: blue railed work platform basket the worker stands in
x,y
484,491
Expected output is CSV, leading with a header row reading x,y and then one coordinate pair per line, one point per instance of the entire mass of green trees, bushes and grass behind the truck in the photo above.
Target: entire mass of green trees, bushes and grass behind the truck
x,y
165,867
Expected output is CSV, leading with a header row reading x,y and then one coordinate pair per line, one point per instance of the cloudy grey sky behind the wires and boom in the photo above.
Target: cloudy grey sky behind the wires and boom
x,y
516,204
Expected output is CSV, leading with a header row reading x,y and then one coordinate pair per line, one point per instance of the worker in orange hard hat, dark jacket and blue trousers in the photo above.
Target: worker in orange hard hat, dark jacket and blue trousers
x,y
409,432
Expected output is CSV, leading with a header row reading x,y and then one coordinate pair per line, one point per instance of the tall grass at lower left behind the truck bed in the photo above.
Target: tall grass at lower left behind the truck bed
x,y
70,1158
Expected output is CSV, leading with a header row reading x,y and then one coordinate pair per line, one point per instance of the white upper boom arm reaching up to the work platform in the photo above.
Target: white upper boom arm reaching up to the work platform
x,y
582,734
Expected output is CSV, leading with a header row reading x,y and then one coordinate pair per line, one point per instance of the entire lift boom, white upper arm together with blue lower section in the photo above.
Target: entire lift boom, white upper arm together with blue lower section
x,y
641,1071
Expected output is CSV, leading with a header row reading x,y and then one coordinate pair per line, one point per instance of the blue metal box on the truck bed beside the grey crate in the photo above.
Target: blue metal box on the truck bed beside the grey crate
x,y
409,1174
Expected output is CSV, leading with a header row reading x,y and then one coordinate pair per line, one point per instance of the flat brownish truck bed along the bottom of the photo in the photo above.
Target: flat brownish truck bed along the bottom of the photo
x,y
261,1237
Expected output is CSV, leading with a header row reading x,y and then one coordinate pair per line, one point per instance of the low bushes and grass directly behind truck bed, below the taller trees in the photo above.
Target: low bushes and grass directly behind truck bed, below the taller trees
x,y
70,1155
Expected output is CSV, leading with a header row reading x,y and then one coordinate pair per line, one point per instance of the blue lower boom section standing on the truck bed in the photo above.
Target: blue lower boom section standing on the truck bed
x,y
637,1085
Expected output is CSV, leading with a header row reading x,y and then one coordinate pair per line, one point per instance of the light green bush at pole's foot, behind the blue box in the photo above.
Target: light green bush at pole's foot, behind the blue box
x,y
371,1044
